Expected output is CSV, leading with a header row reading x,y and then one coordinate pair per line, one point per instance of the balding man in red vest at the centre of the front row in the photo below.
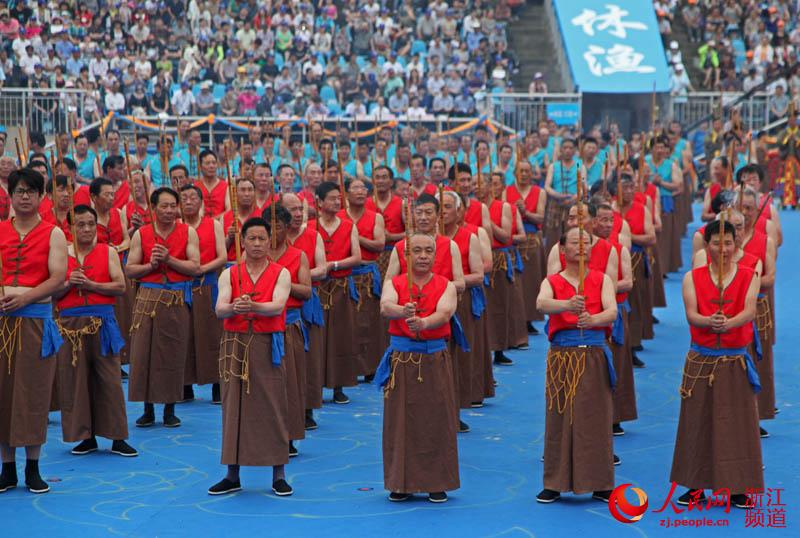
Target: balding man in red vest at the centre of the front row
x,y
420,453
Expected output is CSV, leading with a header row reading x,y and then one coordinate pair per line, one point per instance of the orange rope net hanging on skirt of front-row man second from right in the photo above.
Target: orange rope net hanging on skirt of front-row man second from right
x,y
565,367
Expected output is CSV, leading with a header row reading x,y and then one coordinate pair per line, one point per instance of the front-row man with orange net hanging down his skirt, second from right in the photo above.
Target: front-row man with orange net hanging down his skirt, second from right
x,y
580,377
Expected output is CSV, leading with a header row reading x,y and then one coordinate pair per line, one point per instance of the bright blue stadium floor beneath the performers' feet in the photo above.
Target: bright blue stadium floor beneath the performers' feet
x,y
338,476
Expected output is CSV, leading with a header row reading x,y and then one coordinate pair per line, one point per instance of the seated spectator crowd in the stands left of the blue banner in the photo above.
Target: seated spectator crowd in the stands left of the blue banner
x,y
256,57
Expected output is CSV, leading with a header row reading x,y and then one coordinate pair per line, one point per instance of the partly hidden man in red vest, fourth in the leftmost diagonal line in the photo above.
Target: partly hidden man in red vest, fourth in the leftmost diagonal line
x,y
202,366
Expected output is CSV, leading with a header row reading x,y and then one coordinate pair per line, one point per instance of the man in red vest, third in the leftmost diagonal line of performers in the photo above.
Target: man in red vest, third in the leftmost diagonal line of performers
x,y
164,258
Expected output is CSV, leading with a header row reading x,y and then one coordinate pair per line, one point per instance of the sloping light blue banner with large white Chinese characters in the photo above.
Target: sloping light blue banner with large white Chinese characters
x,y
613,47
